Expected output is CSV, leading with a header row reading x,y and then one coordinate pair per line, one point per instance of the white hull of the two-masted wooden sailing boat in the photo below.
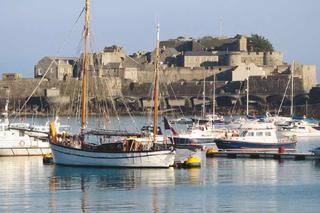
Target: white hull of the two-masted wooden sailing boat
x,y
76,157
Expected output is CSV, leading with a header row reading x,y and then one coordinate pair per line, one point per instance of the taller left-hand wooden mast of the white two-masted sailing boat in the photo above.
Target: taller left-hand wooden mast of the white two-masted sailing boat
x,y
85,68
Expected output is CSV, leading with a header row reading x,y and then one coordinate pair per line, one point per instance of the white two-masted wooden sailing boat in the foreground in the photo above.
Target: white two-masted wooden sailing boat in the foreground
x,y
94,148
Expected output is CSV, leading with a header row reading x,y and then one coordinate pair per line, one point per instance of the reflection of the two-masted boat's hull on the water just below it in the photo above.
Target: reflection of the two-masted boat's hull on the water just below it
x,y
118,179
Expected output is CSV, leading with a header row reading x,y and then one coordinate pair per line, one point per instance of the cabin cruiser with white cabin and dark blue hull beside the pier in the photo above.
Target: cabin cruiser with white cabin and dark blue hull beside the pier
x,y
255,135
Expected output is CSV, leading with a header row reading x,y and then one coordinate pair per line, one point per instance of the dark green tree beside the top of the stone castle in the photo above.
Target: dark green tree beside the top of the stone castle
x,y
257,43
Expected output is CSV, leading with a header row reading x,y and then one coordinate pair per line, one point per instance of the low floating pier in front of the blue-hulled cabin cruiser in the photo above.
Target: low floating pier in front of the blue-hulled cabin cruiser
x,y
263,155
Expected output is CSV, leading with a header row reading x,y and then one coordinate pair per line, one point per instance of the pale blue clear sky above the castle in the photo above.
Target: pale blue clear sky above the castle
x,y
32,29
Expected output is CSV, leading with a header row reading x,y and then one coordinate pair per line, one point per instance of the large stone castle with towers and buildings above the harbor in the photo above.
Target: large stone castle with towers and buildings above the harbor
x,y
186,63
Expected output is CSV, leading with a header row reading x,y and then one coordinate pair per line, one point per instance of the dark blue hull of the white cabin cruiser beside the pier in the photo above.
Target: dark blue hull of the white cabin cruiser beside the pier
x,y
227,144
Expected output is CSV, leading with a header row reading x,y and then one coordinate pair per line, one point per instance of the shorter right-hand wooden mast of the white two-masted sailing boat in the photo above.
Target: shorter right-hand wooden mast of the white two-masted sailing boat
x,y
156,86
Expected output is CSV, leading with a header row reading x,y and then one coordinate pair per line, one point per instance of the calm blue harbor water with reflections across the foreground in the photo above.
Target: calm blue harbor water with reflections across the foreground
x,y
220,185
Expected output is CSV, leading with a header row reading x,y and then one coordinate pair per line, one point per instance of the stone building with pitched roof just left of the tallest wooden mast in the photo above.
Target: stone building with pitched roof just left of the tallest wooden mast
x,y
56,68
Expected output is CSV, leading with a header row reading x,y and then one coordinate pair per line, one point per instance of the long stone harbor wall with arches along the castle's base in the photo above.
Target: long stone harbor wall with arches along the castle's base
x,y
266,93
